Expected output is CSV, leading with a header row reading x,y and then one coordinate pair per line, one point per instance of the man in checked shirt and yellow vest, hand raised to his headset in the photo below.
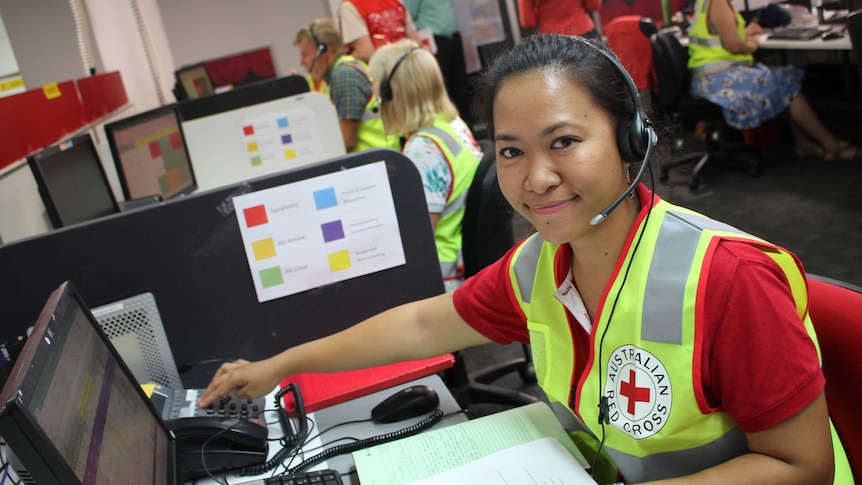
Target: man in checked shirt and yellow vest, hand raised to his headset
x,y
348,85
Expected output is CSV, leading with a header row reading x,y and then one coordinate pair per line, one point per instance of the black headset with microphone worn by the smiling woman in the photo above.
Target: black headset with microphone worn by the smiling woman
x,y
636,138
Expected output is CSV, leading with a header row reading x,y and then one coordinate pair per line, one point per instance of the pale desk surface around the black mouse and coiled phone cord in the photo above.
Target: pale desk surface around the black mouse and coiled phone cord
x,y
354,410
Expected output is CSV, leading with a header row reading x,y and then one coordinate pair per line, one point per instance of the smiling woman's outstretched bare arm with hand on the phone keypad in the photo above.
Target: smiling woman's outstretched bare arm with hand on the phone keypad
x,y
417,330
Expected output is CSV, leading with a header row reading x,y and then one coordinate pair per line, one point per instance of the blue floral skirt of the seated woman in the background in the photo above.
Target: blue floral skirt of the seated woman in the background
x,y
750,95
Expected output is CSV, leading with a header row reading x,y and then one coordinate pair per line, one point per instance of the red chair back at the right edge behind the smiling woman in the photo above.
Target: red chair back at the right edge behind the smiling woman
x,y
833,306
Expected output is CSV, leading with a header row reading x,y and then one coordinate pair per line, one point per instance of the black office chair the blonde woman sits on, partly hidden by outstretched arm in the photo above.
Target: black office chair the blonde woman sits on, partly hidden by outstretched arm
x,y
486,235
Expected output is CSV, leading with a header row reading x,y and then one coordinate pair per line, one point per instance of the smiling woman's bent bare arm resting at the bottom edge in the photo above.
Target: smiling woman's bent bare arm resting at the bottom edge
x,y
795,451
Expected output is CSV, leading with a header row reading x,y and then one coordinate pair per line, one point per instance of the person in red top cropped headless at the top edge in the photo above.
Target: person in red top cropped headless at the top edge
x,y
569,17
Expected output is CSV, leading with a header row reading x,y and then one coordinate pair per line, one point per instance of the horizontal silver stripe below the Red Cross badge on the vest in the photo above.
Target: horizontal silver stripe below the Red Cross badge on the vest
x,y
684,462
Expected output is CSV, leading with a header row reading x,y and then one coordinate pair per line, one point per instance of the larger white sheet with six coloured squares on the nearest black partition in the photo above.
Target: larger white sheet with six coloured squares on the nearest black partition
x,y
320,231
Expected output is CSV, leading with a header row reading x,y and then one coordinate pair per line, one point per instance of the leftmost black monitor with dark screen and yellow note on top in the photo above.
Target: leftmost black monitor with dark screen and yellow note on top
x,y
72,181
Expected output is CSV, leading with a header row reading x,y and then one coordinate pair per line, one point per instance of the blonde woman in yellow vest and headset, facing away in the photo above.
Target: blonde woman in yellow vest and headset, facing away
x,y
414,105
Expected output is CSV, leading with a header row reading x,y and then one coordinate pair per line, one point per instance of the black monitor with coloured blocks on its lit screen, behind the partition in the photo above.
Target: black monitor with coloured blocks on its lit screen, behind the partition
x,y
150,154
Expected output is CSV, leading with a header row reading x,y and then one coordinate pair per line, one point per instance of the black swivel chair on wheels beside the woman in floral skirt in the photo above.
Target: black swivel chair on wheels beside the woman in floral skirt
x,y
676,106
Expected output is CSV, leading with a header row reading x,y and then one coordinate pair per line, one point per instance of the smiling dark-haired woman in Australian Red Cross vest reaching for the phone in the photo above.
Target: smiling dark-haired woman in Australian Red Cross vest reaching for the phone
x,y
681,345
